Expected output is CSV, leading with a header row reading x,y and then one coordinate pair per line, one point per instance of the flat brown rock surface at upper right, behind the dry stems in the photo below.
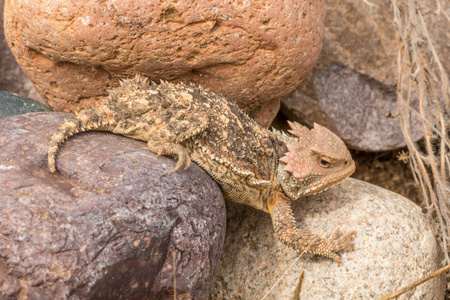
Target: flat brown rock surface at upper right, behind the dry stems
x,y
364,38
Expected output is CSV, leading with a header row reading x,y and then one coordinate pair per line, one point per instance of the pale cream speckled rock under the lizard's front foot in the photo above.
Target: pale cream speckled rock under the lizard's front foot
x,y
394,246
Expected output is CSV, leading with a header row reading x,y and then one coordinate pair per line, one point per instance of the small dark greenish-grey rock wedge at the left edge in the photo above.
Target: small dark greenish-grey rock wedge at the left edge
x,y
13,105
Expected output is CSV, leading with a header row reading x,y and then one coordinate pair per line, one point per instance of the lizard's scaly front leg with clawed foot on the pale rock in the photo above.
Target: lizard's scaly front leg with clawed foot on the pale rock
x,y
288,232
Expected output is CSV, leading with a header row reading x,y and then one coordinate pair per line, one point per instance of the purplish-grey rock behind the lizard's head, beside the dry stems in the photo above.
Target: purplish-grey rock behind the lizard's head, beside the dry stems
x,y
356,107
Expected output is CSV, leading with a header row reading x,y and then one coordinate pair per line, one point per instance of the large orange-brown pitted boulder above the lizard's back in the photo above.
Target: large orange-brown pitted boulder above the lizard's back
x,y
252,52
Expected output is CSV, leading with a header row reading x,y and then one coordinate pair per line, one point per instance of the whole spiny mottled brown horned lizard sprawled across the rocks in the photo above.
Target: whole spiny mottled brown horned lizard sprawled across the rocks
x,y
252,165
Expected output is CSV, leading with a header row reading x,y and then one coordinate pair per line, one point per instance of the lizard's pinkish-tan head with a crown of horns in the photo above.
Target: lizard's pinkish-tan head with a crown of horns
x,y
316,160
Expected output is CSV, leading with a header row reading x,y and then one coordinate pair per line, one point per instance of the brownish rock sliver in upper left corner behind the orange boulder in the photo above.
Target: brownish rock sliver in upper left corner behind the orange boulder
x,y
12,78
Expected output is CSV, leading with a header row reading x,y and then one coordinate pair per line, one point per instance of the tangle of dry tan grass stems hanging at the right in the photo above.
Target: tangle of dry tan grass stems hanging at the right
x,y
422,78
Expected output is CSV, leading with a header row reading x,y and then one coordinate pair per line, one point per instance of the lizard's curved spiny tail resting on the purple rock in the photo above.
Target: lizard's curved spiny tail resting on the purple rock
x,y
86,120
